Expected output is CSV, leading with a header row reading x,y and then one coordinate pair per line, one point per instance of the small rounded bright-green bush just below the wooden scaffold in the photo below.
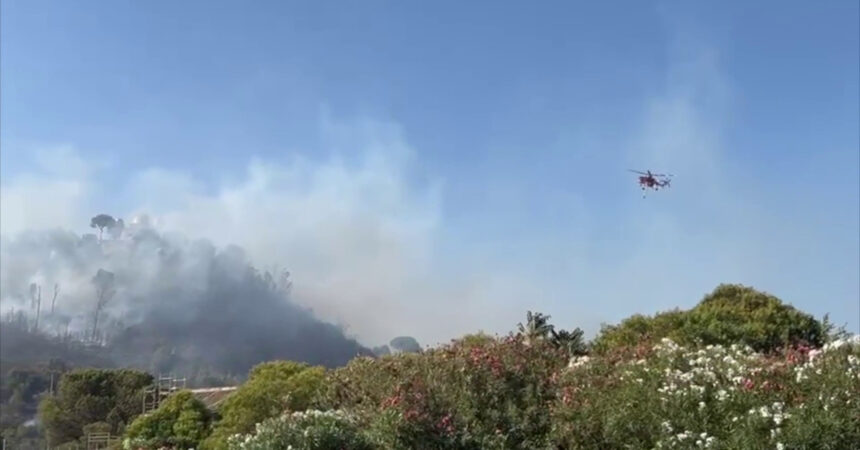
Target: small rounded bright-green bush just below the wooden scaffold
x,y
181,422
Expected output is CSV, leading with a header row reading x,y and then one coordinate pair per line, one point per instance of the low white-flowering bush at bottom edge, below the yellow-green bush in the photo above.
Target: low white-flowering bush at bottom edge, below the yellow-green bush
x,y
308,430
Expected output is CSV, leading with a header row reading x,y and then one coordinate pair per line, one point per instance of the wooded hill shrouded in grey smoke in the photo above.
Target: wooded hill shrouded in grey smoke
x,y
163,302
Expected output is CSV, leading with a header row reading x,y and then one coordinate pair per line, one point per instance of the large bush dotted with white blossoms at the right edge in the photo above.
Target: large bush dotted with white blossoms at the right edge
x,y
714,397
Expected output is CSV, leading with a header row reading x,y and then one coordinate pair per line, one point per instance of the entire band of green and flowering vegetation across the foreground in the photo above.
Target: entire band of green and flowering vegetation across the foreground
x,y
739,370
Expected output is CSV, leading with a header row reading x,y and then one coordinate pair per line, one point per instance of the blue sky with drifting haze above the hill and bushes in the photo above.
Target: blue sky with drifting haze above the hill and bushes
x,y
483,145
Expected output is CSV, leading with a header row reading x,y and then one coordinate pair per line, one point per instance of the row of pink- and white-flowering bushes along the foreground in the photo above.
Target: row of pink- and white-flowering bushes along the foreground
x,y
489,393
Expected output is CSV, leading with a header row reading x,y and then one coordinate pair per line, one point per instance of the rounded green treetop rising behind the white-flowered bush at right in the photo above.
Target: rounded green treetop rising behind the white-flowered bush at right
x,y
730,314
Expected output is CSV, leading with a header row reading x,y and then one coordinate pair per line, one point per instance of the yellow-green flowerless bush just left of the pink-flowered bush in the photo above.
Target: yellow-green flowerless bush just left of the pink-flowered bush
x,y
271,389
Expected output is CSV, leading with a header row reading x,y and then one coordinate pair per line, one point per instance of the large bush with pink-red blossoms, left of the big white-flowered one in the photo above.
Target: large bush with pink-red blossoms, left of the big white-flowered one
x,y
481,393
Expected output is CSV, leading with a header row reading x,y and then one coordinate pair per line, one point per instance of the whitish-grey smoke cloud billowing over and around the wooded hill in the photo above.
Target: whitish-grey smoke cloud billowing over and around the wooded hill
x,y
354,234
